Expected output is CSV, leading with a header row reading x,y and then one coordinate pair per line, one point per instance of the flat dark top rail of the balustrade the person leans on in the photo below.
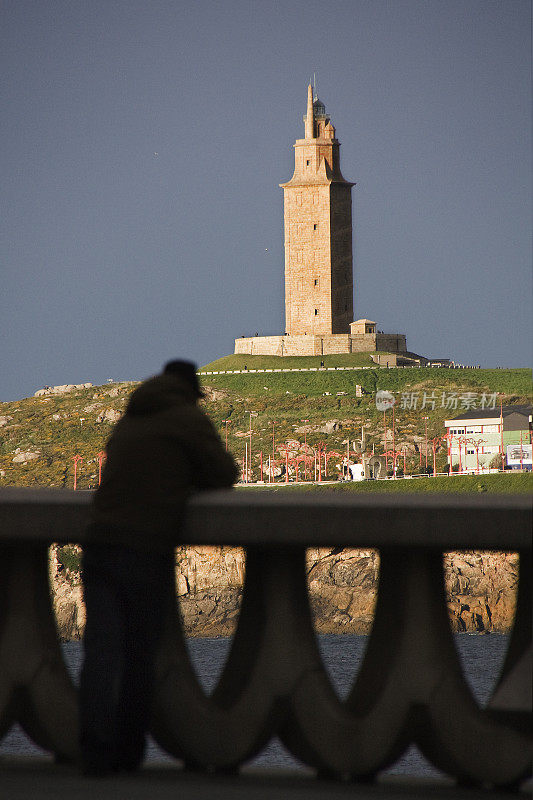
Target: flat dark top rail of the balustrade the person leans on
x,y
311,518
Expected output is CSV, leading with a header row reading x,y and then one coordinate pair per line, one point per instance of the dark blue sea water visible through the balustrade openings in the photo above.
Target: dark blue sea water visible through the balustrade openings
x,y
481,656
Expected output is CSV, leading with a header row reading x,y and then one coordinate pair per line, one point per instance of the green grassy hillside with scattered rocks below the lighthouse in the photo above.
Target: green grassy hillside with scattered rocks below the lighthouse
x,y
316,407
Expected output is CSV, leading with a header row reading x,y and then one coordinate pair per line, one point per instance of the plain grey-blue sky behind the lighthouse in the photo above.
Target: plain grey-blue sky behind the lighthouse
x,y
115,259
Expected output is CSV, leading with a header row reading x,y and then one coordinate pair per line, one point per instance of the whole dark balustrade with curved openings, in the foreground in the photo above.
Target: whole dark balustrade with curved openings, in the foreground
x,y
410,687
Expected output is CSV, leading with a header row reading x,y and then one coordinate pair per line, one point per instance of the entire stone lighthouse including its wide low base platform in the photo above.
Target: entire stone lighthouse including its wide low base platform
x,y
319,285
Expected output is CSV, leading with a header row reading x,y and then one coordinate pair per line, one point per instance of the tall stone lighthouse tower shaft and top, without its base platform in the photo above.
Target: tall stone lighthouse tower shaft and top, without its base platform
x,y
318,232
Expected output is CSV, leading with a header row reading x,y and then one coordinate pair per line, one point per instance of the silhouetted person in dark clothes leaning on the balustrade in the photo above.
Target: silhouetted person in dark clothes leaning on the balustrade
x,y
161,451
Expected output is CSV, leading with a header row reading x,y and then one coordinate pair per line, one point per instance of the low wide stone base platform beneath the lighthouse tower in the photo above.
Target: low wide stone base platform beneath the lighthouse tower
x,y
320,345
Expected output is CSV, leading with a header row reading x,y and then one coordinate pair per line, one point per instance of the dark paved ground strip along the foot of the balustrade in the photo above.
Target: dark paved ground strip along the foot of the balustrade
x,y
41,779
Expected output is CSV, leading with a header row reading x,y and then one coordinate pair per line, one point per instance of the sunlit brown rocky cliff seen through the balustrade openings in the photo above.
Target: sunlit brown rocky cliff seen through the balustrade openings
x,y
481,590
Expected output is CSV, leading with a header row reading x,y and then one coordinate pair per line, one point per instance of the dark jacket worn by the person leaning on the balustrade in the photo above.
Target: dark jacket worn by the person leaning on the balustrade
x,y
162,450
